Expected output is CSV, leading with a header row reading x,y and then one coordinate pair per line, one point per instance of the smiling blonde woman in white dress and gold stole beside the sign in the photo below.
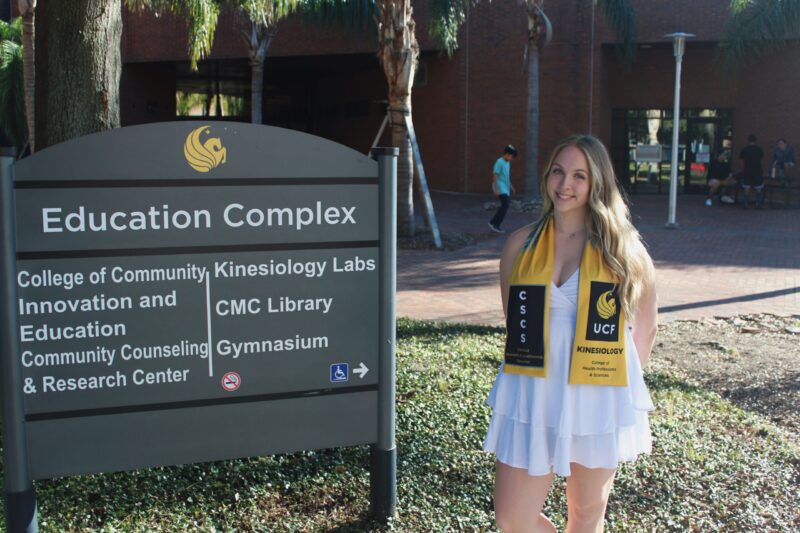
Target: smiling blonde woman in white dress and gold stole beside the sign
x,y
570,399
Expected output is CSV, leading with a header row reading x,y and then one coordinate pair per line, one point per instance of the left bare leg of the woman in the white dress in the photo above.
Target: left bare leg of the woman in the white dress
x,y
518,500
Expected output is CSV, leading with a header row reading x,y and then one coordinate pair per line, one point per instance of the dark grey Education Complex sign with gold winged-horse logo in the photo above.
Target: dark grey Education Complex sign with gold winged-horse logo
x,y
189,292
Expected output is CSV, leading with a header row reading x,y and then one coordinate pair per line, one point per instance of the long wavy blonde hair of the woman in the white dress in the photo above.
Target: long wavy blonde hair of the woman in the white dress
x,y
610,226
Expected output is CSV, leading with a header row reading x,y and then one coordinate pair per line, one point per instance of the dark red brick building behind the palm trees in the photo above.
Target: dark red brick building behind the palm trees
x,y
328,82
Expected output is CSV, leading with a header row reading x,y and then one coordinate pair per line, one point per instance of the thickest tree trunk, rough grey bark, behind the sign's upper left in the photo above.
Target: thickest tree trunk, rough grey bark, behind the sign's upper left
x,y
79,69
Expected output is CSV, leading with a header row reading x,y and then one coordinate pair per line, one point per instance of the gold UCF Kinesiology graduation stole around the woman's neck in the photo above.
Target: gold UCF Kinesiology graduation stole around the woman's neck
x,y
598,350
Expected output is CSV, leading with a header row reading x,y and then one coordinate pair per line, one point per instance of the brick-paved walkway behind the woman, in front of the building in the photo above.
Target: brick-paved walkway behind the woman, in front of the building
x,y
722,261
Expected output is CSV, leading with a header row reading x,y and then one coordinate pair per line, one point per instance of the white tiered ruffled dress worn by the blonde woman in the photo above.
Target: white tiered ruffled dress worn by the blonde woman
x,y
544,424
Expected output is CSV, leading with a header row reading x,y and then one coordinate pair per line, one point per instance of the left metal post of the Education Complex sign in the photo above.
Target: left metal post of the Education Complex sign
x,y
20,494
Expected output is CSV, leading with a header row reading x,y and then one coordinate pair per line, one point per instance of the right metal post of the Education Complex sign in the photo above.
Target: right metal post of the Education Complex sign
x,y
383,464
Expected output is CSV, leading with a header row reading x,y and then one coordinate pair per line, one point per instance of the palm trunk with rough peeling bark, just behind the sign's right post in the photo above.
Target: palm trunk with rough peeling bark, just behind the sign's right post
x,y
398,55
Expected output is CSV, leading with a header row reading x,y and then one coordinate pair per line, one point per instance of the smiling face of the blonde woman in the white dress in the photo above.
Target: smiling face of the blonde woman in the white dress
x,y
568,182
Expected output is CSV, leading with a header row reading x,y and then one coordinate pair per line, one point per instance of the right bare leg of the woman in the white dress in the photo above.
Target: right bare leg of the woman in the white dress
x,y
587,496
